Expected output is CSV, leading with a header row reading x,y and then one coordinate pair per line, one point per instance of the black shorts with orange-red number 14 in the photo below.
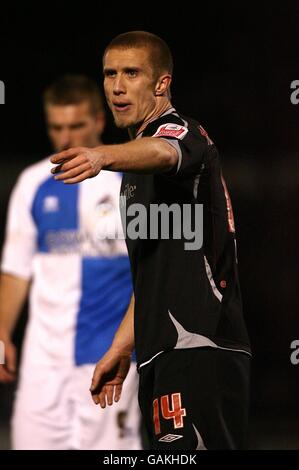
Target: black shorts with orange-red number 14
x,y
194,399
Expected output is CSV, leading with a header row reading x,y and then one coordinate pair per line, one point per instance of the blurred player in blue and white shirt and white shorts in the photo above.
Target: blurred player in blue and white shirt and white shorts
x,y
79,284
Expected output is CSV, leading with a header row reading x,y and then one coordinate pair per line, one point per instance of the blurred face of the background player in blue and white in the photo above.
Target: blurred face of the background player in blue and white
x,y
73,125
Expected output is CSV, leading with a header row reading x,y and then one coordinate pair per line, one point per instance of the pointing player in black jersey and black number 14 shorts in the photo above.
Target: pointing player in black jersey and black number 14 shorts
x,y
185,318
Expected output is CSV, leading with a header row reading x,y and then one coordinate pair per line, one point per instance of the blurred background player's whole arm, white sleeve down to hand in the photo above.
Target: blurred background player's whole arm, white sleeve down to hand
x,y
16,269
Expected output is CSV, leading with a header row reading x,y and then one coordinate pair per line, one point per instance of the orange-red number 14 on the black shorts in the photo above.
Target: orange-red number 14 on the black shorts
x,y
168,407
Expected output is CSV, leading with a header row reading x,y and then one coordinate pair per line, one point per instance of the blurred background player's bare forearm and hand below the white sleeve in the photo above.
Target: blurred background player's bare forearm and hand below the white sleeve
x,y
13,293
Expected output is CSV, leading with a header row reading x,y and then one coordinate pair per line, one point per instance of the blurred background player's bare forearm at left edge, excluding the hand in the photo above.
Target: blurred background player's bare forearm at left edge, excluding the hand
x,y
13,292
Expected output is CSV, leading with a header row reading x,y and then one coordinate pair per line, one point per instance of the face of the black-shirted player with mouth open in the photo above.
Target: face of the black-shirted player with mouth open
x,y
129,85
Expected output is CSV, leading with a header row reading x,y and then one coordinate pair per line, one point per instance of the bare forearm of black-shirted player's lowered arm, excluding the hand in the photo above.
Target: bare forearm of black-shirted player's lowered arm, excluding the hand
x,y
124,337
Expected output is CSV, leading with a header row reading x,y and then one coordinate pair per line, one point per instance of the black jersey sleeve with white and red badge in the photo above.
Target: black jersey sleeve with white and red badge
x,y
188,140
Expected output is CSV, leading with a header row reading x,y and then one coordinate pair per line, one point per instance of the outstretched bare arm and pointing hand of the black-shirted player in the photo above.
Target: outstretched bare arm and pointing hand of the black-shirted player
x,y
145,155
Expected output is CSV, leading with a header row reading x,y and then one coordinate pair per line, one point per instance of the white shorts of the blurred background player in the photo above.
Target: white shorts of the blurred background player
x,y
54,411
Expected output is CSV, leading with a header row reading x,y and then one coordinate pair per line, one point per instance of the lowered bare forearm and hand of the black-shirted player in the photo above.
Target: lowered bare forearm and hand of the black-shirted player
x,y
112,369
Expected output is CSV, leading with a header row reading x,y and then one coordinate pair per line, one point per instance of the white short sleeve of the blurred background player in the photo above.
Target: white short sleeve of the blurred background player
x,y
20,233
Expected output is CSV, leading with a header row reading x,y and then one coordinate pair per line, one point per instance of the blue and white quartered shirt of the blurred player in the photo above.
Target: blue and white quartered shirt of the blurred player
x,y
63,238
